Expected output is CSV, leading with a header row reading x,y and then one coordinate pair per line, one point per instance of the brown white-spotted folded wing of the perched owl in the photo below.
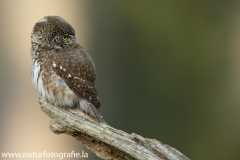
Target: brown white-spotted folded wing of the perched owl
x,y
77,69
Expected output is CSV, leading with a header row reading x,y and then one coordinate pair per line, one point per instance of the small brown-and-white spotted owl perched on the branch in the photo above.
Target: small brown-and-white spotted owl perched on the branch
x,y
63,73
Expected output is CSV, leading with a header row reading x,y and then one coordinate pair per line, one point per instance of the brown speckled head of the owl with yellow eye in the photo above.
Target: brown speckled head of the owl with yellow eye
x,y
53,32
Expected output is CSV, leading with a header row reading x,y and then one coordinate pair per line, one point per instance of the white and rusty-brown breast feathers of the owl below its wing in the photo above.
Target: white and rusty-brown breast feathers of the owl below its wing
x,y
51,87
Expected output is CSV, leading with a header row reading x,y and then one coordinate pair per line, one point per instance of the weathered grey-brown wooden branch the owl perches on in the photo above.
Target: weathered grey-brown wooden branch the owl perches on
x,y
104,140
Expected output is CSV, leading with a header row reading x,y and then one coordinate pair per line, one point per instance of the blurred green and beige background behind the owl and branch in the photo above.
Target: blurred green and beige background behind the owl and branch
x,y
168,70
